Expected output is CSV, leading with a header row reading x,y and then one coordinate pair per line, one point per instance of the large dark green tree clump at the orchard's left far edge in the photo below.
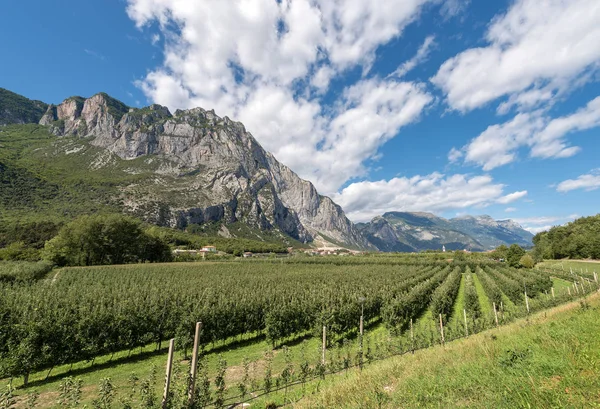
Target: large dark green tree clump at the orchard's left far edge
x,y
105,239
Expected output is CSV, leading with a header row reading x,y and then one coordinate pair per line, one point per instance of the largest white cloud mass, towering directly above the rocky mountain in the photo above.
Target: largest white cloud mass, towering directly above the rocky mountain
x,y
267,63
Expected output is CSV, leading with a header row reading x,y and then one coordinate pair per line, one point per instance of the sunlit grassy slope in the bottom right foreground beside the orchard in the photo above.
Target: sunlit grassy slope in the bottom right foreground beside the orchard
x,y
542,362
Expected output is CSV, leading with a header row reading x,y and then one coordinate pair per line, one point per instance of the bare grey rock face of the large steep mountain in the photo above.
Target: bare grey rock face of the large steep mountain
x,y
210,168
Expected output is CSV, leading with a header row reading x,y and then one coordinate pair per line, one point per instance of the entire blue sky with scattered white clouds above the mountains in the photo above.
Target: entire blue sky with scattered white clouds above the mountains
x,y
449,106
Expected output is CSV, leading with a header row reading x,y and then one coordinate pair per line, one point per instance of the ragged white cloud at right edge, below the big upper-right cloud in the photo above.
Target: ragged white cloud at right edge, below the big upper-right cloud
x,y
544,136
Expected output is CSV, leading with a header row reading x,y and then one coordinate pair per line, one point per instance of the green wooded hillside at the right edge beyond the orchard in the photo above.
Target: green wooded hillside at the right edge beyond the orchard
x,y
577,239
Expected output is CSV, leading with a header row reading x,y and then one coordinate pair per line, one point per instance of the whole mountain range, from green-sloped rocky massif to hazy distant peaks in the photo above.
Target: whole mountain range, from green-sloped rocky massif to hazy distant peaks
x,y
191,167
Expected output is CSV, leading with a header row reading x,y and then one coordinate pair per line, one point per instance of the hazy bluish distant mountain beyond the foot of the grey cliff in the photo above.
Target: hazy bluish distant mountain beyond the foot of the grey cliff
x,y
416,231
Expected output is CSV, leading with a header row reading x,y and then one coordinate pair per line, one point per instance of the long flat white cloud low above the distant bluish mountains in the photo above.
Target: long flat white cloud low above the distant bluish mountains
x,y
435,193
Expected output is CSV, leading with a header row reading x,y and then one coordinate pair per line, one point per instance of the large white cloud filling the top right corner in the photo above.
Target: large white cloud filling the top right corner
x,y
536,50
